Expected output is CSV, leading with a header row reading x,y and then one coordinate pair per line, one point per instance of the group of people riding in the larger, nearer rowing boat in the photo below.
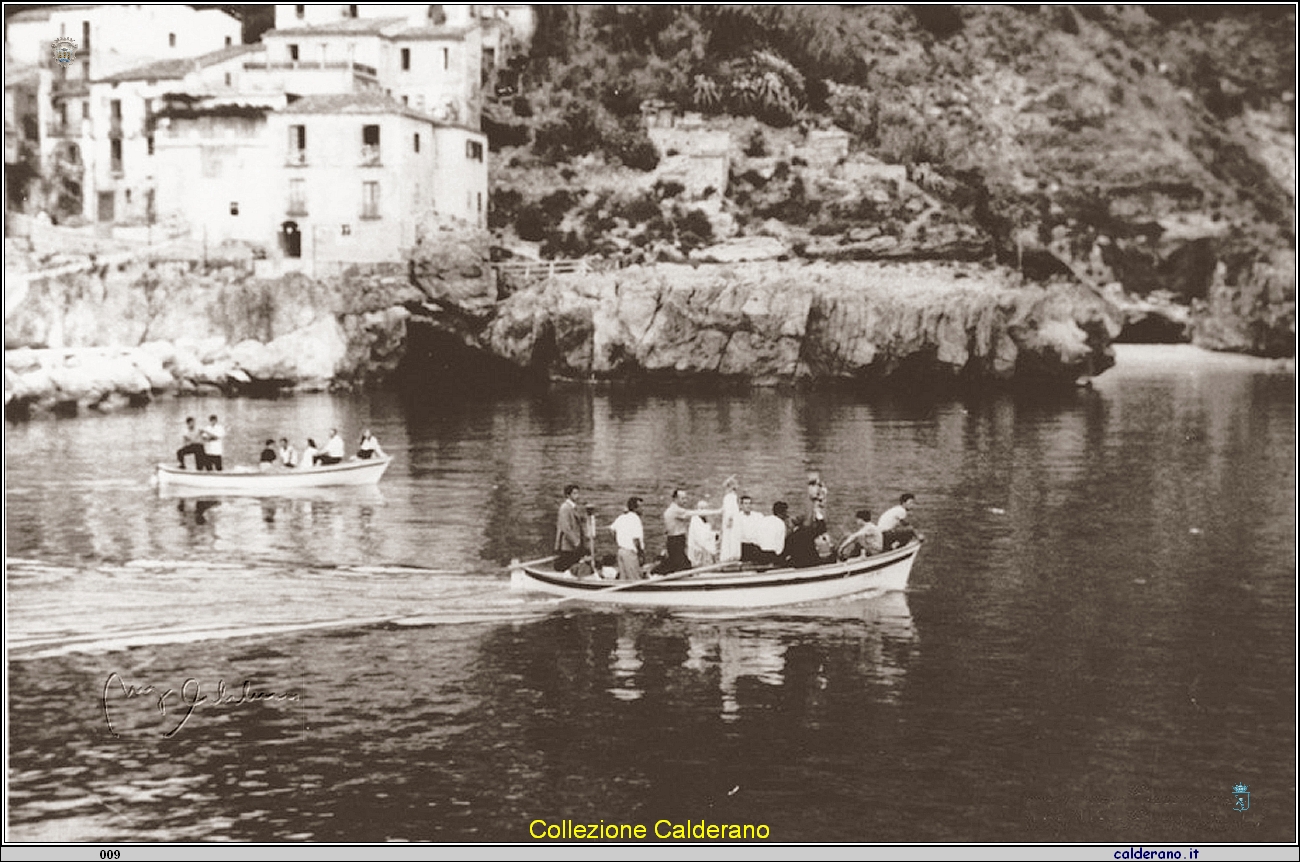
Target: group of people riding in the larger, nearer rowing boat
x,y
735,532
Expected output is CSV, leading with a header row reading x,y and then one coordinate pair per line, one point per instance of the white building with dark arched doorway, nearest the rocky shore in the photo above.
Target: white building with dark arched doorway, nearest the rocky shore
x,y
323,183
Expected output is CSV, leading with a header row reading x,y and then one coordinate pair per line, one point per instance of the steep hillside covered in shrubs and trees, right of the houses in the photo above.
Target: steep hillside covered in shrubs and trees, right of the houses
x,y
1151,148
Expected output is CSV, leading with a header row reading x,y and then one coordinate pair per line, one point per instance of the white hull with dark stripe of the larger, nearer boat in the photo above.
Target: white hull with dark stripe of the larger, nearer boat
x,y
729,586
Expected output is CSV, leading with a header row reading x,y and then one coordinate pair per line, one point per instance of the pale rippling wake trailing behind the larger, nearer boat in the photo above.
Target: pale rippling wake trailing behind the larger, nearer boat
x,y
60,610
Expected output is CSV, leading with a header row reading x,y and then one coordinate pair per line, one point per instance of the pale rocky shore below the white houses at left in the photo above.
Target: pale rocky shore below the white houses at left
x,y
114,336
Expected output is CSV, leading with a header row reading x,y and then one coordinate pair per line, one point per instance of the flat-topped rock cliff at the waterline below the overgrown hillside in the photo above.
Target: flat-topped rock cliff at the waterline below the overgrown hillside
x,y
775,323
